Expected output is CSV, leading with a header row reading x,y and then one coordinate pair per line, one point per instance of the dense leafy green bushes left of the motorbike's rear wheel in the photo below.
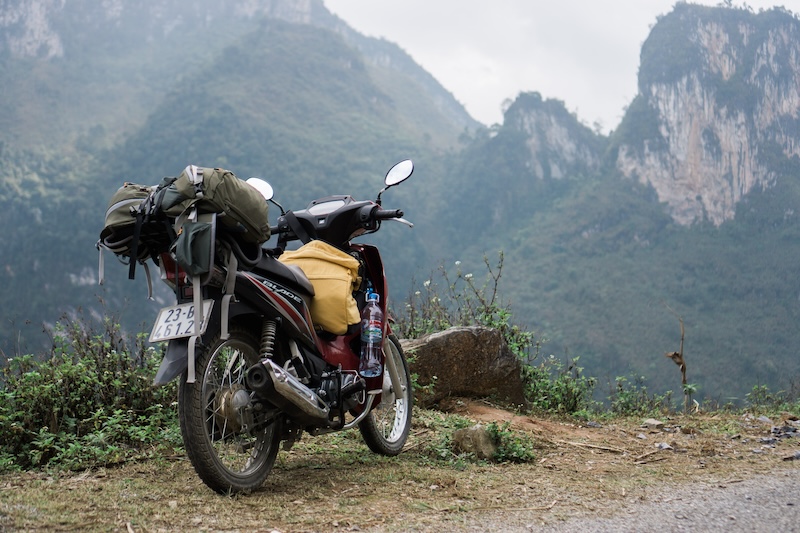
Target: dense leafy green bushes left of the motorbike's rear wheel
x,y
90,401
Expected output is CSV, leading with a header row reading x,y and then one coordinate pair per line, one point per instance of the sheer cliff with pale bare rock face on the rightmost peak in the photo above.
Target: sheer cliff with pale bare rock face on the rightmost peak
x,y
718,109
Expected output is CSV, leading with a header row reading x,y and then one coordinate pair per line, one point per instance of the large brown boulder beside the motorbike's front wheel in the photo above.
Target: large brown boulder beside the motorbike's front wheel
x,y
472,362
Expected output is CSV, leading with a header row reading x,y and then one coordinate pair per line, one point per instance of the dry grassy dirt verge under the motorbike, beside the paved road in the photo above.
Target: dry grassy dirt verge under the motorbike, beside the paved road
x,y
334,483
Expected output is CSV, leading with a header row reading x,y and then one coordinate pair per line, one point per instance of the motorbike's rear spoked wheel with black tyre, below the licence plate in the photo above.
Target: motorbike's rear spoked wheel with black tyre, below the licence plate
x,y
230,445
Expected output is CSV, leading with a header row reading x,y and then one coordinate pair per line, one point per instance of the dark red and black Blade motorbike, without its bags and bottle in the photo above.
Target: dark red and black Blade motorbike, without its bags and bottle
x,y
255,372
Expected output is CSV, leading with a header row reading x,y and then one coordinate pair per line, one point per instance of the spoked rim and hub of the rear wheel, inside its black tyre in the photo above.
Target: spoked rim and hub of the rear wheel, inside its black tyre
x,y
236,446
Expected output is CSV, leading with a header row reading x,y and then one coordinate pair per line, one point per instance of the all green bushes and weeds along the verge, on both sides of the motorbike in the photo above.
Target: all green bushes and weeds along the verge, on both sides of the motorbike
x,y
89,402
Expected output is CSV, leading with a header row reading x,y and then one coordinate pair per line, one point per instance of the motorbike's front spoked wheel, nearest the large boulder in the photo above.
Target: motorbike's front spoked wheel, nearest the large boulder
x,y
386,428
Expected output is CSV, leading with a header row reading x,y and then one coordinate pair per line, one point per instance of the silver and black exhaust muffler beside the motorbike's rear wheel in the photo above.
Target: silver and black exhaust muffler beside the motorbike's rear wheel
x,y
266,378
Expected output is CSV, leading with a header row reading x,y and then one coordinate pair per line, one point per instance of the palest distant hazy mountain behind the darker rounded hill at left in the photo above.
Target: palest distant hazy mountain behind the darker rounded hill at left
x,y
125,55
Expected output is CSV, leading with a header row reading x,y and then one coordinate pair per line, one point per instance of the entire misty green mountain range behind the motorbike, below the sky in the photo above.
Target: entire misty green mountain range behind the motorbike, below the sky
x,y
687,211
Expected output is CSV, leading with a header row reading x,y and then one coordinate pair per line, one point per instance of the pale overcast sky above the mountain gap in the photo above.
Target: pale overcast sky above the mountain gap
x,y
582,52
